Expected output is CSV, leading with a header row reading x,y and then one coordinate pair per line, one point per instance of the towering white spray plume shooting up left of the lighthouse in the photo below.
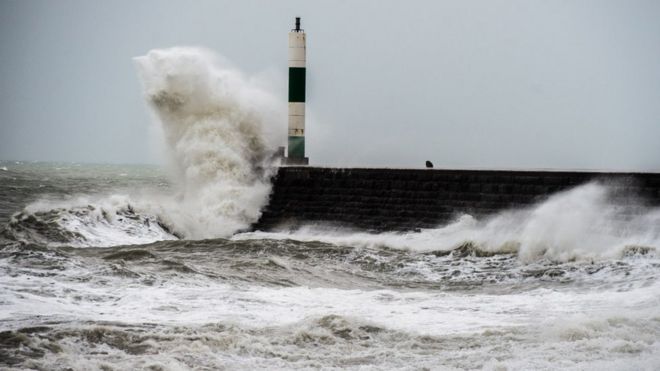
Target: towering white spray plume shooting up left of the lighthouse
x,y
218,128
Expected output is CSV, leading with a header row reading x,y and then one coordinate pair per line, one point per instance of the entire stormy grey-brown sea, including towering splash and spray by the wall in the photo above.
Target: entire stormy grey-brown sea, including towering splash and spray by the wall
x,y
155,267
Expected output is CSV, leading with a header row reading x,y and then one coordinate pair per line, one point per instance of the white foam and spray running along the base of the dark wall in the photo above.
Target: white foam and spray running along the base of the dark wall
x,y
579,224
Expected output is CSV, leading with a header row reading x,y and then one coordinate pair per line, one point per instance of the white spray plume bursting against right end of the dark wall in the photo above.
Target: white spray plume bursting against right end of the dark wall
x,y
583,223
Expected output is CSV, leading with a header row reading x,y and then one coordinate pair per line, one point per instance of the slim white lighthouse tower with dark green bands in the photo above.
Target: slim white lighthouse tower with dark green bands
x,y
296,136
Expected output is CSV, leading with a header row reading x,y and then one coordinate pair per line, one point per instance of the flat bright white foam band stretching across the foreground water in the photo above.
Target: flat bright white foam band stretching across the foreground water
x,y
197,299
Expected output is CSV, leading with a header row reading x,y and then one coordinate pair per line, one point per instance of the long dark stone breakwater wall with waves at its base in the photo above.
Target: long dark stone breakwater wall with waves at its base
x,y
406,199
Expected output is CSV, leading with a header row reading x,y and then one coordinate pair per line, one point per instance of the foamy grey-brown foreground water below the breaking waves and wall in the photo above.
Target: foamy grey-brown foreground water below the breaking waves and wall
x,y
275,304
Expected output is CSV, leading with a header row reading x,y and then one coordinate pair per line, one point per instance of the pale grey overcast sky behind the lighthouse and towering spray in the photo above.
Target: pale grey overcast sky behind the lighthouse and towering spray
x,y
479,84
